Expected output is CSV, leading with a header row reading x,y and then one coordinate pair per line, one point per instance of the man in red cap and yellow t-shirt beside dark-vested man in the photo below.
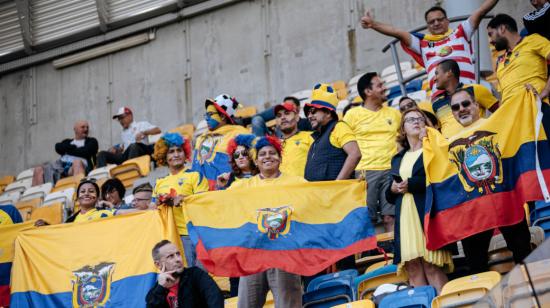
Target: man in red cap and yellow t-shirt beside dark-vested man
x,y
296,143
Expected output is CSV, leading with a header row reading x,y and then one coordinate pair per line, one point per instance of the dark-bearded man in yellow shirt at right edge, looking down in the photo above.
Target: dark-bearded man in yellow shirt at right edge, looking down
x,y
525,60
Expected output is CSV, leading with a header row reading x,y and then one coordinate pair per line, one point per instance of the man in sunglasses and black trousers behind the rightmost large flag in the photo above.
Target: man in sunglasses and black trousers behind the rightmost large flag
x,y
465,109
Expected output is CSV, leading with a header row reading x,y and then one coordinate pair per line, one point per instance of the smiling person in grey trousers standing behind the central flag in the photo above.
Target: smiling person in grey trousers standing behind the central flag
x,y
286,287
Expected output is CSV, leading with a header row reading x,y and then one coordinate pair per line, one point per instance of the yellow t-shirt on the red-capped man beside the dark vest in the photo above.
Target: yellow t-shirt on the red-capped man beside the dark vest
x,y
295,151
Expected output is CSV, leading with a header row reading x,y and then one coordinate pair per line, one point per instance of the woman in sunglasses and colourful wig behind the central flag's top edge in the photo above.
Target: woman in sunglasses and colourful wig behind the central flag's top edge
x,y
242,164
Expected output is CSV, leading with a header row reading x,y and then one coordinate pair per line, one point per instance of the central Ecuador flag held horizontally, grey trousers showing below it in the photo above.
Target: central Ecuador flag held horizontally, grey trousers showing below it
x,y
300,228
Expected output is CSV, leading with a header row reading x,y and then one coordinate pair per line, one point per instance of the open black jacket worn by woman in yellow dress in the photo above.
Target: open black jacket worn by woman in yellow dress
x,y
416,186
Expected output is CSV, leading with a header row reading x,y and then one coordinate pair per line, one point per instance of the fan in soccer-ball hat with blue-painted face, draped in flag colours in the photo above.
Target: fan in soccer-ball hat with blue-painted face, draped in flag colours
x,y
210,158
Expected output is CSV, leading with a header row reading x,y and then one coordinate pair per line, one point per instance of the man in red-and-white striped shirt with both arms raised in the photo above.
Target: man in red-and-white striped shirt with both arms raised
x,y
441,42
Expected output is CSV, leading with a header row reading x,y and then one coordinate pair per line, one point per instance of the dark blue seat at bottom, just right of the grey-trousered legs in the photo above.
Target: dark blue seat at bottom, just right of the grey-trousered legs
x,y
330,289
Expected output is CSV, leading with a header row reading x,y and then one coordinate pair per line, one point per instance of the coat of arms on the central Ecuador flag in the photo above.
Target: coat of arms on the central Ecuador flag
x,y
274,221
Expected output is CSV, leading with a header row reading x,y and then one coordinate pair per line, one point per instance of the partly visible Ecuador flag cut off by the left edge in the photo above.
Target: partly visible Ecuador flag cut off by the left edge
x,y
8,234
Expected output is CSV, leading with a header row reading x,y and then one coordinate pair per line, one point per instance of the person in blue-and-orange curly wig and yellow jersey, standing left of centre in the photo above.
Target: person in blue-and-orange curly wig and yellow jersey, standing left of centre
x,y
173,150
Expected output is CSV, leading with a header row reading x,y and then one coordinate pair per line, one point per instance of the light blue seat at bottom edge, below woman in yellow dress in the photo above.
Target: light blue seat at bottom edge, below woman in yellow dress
x,y
420,297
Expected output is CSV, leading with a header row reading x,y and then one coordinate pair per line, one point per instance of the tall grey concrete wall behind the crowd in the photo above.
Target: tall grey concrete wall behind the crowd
x,y
258,51
